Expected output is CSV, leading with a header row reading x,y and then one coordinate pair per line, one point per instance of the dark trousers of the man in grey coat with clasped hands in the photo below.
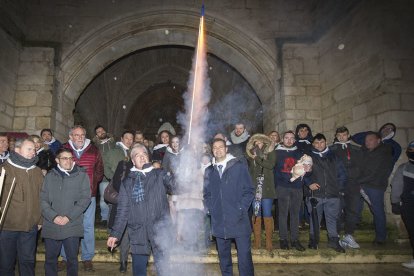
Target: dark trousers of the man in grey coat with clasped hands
x,y
53,248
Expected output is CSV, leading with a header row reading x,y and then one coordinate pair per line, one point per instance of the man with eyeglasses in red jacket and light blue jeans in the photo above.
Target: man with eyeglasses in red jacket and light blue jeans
x,y
86,155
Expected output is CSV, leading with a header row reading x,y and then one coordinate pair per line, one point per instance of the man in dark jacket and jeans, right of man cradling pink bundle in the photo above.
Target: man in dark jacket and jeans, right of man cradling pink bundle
x,y
328,182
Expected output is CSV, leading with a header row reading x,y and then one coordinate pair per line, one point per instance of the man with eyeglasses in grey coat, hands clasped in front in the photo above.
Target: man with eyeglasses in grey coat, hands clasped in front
x,y
64,197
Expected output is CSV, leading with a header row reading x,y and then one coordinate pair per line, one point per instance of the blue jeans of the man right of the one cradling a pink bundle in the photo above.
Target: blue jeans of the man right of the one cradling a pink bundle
x,y
330,208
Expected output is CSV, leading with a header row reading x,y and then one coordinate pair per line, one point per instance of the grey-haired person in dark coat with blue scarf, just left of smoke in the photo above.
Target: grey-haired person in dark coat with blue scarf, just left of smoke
x,y
143,208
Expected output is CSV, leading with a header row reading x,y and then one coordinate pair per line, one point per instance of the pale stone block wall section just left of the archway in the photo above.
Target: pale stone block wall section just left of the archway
x,y
34,90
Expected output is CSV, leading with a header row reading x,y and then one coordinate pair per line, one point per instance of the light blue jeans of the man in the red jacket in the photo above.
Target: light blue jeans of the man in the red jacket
x,y
88,241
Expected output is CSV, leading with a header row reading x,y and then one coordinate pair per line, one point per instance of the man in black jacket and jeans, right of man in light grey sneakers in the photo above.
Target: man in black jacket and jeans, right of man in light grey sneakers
x,y
377,167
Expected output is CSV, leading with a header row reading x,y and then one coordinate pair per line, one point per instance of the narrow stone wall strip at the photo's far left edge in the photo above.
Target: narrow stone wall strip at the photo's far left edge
x,y
9,63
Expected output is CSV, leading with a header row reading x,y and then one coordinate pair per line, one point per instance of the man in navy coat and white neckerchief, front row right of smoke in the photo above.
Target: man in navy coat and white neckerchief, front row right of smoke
x,y
228,194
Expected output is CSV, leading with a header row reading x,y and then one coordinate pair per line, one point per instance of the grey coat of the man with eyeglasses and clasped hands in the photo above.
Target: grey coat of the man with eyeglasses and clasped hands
x,y
64,195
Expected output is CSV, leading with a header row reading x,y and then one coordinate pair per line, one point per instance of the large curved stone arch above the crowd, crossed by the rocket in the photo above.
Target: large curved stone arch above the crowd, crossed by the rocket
x,y
121,37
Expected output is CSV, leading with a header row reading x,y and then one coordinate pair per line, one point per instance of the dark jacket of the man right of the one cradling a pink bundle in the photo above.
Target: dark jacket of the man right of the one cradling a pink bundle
x,y
329,172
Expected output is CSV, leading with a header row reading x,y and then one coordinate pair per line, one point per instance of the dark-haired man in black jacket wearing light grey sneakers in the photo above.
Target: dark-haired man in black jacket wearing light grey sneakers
x,y
351,157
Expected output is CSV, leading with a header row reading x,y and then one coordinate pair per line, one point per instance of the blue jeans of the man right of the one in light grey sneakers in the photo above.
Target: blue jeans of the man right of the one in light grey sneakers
x,y
377,209
